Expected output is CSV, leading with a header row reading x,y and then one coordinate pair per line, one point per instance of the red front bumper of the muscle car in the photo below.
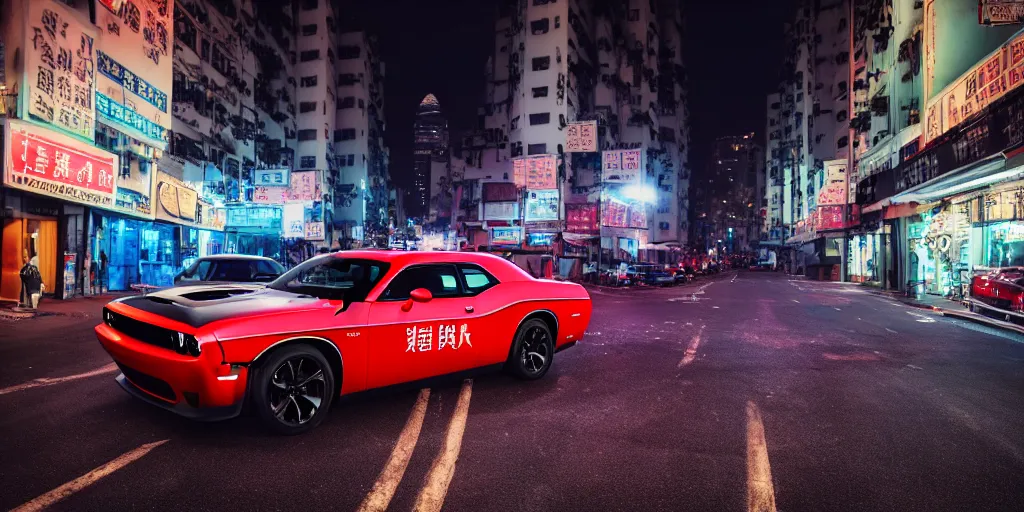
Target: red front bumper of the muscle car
x,y
201,389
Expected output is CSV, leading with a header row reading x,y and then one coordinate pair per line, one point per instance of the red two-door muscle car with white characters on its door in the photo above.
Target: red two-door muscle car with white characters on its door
x,y
337,324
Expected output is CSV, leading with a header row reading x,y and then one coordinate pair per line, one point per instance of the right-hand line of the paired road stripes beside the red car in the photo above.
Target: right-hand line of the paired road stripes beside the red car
x,y
432,496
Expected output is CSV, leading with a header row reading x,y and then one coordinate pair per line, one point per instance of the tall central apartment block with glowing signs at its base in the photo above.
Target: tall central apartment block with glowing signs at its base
x,y
557,65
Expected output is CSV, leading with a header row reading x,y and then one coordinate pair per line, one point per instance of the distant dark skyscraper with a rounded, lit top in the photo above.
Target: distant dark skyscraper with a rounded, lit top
x,y
431,144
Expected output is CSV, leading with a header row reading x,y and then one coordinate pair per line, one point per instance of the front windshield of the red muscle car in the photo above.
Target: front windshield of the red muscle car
x,y
333,278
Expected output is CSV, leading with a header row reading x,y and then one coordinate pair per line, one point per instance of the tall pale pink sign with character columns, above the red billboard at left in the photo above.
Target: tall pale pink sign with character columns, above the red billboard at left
x,y
59,67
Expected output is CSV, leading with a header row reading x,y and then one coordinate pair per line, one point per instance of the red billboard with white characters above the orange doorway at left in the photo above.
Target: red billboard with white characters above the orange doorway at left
x,y
48,163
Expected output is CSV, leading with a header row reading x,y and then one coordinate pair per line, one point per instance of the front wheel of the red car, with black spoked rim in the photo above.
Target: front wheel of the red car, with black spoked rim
x,y
293,390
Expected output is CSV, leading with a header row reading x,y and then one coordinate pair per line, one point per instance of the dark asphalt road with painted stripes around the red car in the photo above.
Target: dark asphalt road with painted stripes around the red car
x,y
752,392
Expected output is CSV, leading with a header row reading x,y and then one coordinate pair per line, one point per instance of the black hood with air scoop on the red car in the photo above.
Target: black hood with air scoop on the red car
x,y
201,305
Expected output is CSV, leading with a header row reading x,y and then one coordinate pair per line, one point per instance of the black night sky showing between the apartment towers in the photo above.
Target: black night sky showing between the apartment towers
x,y
733,52
